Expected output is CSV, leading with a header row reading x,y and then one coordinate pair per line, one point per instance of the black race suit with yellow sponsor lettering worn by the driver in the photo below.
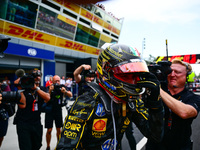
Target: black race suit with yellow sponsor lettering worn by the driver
x,y
89,124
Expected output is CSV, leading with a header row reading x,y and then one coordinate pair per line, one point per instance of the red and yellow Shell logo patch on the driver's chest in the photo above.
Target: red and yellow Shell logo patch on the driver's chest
x,y
99,125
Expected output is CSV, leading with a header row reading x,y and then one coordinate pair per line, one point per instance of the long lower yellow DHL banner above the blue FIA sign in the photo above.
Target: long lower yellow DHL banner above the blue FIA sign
x,y
34,35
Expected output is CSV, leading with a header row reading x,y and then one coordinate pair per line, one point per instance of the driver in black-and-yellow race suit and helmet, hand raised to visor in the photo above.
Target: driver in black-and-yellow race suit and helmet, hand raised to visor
x,y
99,117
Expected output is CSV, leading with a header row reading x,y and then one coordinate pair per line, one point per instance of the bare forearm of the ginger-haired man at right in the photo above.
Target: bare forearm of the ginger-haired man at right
x,y
184,111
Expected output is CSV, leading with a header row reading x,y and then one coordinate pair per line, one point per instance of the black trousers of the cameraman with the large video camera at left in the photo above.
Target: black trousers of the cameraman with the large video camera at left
x,y
29,136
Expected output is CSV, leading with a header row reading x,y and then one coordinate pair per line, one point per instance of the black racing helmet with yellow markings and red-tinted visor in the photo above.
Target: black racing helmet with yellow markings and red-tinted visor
x,y
119,67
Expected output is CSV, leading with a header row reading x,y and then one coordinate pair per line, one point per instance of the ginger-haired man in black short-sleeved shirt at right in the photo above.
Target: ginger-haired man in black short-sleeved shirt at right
x,y
181,108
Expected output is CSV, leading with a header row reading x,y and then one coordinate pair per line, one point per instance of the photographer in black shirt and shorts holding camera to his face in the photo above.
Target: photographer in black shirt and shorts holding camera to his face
x,y
56,91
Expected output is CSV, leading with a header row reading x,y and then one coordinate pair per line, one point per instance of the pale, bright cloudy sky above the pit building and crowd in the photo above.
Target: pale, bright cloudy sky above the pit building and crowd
x,y
177,21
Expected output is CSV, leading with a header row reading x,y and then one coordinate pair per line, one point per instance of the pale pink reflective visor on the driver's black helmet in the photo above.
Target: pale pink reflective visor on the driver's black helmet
x,y
134,66
